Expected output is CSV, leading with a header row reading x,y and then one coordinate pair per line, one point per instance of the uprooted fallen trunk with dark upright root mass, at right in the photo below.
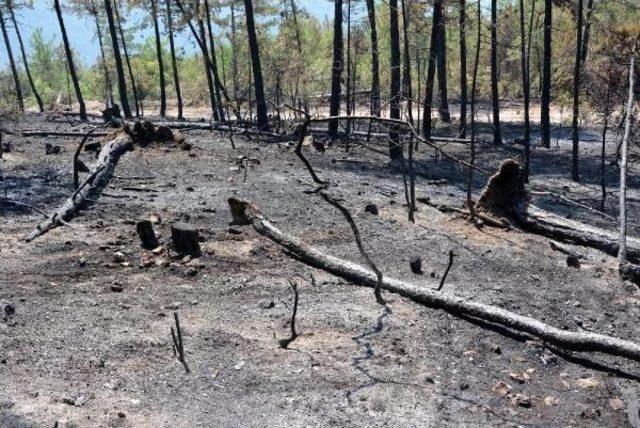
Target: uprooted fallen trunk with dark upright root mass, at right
x,y
506,196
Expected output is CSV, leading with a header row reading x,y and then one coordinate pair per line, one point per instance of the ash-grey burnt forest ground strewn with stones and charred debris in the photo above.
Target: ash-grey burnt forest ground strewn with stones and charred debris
x,y
81,353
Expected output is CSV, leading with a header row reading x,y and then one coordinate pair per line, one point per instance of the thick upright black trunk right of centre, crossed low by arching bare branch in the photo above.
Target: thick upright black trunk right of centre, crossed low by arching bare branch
x,y
395,149
